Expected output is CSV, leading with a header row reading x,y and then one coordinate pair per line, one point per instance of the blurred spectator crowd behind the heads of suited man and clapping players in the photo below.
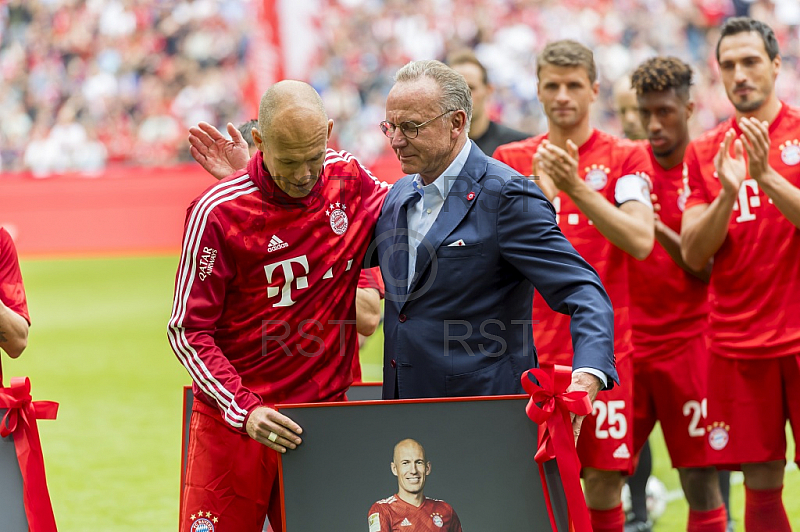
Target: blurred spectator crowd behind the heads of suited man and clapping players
x,y
364,42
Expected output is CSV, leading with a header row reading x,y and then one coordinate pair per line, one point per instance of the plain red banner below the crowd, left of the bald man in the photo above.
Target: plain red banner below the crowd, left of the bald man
x,y
123,210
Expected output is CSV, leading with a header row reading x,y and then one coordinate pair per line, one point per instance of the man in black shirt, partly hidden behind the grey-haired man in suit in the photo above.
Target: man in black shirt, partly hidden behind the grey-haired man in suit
x,y
483,131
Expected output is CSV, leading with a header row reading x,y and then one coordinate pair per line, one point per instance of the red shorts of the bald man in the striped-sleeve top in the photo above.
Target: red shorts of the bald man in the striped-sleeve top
x,y
231,479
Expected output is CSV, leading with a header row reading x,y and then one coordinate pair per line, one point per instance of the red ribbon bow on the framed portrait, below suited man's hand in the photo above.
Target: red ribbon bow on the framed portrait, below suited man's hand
x,y
549,407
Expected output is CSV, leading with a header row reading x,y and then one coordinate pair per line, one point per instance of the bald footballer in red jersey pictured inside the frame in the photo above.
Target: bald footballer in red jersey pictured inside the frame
x,y
409,510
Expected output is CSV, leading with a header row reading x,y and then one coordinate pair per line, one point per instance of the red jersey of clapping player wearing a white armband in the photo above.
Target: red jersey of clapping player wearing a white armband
x,y
603,159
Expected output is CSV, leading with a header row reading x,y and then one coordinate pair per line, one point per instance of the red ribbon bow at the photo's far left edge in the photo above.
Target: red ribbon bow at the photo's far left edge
x,y
20,420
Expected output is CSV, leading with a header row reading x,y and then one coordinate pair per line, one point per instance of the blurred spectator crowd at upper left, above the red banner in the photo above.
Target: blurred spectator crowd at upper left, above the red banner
x,y
108,81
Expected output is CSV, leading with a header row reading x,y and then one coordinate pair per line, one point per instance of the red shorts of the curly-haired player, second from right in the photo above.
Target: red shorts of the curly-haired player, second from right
x,y
673,390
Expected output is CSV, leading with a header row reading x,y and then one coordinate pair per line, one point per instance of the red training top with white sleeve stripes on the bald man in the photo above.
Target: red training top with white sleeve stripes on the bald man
x,y
264,308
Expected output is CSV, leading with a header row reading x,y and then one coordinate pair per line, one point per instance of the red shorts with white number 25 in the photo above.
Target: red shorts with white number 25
x,y
606,440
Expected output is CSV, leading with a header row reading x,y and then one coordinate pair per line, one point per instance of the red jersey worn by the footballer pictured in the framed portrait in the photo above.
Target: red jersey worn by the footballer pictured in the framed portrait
x,y
396,515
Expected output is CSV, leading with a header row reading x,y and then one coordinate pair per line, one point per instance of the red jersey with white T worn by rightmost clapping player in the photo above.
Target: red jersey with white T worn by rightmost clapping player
x,y
755,284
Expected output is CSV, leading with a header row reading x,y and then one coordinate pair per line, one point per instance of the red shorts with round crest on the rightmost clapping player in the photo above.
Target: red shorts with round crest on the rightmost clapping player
x,y
749,402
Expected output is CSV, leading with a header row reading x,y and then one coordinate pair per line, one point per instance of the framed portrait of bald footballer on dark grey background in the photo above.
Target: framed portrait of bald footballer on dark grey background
x,y
434,464
